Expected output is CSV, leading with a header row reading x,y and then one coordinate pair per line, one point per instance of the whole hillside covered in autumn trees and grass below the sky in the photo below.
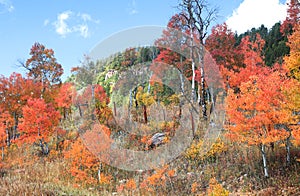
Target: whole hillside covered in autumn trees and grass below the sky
x,y
190,115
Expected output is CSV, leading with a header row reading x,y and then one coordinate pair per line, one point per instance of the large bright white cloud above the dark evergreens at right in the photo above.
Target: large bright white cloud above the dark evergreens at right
x,y
254,13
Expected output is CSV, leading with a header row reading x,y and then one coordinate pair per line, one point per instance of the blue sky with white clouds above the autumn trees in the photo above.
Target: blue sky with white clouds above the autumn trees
x,y
73,27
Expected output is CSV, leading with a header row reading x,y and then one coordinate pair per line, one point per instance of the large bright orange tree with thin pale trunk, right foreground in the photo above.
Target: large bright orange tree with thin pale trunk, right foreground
x,y
256,110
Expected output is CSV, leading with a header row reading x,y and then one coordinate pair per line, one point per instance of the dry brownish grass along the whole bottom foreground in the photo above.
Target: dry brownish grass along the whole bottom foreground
x,y
237,170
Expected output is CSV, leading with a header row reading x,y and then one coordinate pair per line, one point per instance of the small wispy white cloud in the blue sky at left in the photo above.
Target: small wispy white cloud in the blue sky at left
x,y
68,22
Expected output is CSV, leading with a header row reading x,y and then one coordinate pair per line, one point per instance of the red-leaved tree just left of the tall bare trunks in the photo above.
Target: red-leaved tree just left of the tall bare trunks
x,y
170,45
